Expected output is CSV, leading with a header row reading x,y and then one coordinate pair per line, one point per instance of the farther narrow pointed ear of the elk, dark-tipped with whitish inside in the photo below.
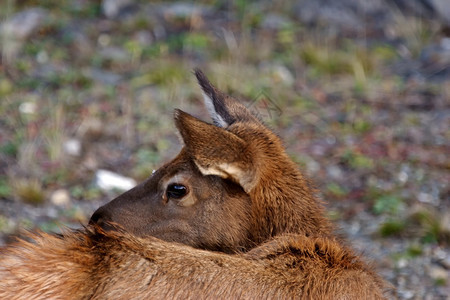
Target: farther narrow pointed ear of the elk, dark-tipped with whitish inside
x,y
224,110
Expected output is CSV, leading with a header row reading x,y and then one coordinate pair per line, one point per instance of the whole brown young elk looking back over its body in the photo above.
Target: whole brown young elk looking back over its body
x,y
244,197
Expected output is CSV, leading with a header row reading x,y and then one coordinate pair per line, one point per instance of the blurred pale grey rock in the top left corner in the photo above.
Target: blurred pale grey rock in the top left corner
x,y
21,25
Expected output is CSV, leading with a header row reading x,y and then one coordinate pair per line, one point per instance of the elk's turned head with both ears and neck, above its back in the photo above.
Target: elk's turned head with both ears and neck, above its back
x,y
231,187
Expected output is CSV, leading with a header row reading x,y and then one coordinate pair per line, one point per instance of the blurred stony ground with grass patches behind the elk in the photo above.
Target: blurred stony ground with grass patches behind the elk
x,y
359,91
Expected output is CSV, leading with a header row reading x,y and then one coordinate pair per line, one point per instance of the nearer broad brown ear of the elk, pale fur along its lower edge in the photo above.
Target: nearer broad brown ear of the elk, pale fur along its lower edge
x,y
217,151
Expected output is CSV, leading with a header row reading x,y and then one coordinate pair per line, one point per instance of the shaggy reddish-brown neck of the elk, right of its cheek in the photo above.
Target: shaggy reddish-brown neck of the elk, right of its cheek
x,y
285,202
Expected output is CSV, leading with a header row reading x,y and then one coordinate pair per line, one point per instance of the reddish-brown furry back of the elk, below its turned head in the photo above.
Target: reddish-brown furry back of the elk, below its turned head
x,y
117,265
